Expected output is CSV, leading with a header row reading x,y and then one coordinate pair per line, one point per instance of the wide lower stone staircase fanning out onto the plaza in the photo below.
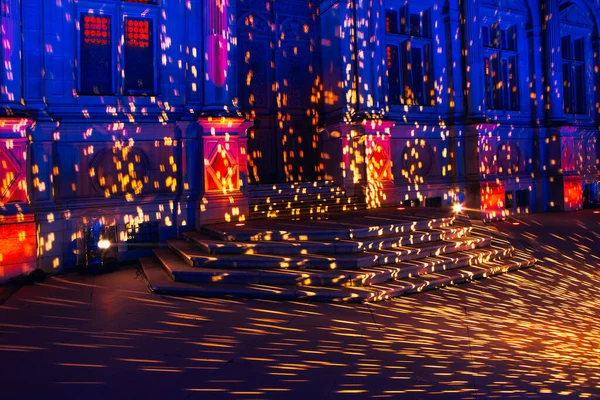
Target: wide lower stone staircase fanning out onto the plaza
x,y
365,255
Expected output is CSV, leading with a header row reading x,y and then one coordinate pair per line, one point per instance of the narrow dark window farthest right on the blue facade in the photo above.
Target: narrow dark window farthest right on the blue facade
x,y
573,66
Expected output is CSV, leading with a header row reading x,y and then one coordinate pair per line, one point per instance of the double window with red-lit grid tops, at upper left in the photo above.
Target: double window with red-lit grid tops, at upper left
x,y
102,52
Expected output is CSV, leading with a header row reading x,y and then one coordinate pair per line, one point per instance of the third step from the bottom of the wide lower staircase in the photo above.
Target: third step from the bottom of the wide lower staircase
x,y
196,256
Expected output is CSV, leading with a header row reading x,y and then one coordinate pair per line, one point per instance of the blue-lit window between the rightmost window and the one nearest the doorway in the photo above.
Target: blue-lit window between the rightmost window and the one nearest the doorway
x,y
500,63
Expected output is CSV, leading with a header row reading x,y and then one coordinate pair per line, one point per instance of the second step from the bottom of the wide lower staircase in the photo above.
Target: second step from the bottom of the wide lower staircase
x,y
181,271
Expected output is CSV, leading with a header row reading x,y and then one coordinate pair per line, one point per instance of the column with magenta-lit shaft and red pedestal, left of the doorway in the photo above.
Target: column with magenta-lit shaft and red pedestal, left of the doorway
x,y
223,141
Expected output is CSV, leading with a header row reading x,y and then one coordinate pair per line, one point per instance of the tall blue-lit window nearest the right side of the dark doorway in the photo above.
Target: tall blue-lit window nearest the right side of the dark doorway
x,y
409,56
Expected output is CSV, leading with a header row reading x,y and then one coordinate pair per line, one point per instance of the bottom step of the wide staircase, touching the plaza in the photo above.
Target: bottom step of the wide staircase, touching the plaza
x,y
161,283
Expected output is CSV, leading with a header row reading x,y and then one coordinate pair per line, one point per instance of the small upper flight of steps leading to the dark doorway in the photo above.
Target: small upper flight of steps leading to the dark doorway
x,y
299,199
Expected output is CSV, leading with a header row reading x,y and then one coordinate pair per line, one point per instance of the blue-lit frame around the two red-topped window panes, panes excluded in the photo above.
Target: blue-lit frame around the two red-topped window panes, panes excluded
x,y
118,10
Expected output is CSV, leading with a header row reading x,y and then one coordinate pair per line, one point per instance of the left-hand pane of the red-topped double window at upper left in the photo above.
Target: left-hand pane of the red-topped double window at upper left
x,y
95,56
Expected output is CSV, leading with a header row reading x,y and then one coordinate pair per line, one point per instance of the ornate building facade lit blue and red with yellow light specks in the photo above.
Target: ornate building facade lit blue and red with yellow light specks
x,y
134,121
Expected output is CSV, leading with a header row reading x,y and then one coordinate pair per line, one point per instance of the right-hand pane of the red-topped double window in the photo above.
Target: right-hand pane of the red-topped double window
x,y
139,55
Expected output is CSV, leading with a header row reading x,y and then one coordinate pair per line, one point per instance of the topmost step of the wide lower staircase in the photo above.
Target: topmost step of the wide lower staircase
x,y
325,230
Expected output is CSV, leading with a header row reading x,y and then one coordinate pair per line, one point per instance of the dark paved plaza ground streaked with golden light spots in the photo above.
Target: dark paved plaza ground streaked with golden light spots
x,y
529,334
